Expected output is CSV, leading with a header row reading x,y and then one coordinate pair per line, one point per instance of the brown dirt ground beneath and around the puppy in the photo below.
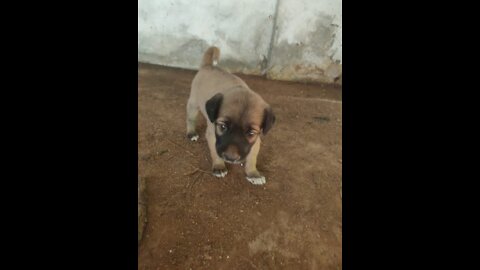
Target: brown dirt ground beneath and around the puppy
x,y
197,221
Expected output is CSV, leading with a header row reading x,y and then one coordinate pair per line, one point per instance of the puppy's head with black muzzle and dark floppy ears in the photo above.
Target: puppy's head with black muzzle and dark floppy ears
x,y
239,119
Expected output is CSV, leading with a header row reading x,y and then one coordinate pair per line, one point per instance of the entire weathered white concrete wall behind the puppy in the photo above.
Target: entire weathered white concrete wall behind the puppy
x,y
284,39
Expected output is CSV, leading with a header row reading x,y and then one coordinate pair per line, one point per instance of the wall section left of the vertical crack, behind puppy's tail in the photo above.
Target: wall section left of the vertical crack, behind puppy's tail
x,y
176,33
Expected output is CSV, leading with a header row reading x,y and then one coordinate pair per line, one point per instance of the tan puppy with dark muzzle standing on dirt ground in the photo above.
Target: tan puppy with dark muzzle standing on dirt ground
x,y
236,117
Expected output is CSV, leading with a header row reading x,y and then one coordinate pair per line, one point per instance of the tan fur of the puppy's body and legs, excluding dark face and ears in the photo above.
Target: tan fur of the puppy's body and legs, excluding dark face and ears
x,y
240,103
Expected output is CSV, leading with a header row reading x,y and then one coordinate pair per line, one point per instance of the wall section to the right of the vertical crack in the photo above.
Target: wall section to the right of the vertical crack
x,y
308,41
